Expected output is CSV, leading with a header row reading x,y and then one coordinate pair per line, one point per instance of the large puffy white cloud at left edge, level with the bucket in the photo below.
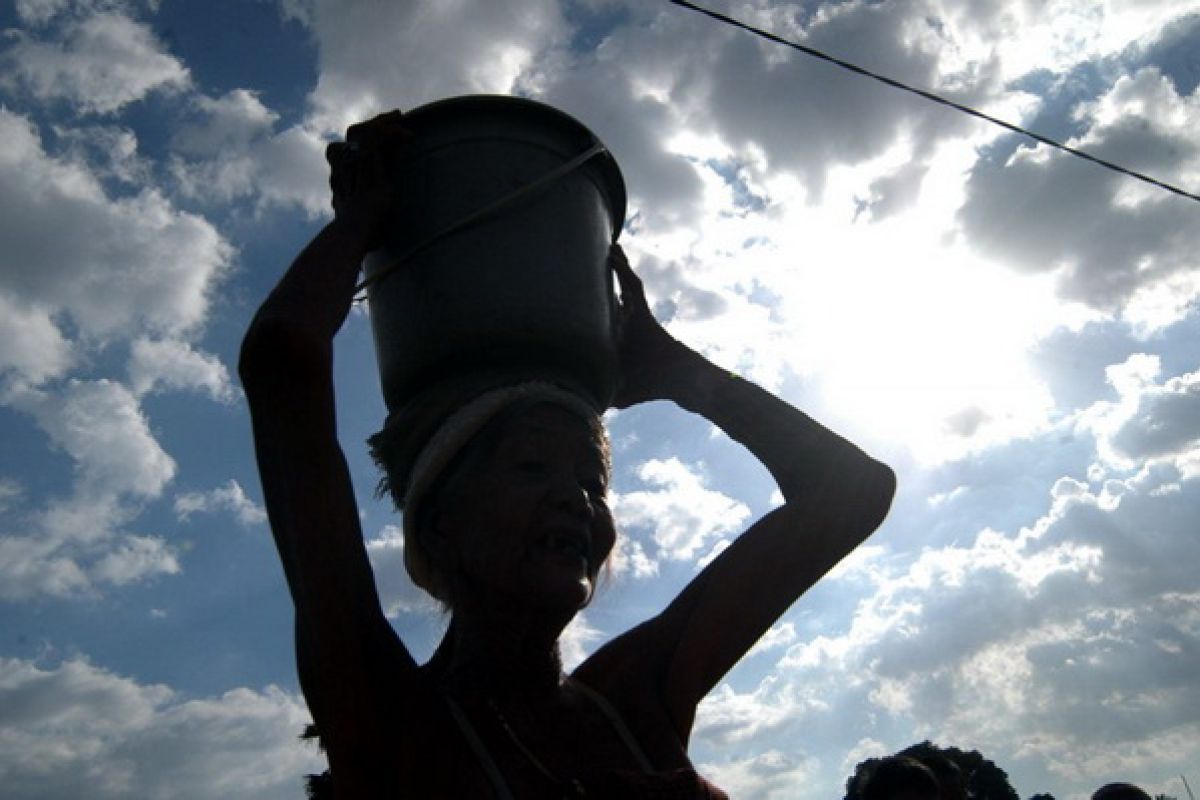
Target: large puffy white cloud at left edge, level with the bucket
x,y
115,266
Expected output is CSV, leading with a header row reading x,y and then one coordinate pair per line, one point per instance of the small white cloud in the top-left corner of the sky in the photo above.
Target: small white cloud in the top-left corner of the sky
x,y
100,62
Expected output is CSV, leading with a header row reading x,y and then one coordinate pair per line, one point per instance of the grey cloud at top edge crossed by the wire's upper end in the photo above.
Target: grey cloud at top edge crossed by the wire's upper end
x,y
808,116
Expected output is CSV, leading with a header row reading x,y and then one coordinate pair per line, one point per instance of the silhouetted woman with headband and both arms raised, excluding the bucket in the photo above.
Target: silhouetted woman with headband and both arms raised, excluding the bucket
x,y
507,524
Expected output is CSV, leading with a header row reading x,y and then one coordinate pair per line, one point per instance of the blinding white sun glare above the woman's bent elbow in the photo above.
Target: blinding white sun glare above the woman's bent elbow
x,y
917,341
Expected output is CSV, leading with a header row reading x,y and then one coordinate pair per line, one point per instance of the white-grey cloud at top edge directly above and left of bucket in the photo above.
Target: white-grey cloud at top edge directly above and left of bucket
x,y
232,152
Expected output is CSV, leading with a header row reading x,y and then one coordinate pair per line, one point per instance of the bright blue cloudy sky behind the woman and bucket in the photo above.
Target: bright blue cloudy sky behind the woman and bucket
x,y
1015,330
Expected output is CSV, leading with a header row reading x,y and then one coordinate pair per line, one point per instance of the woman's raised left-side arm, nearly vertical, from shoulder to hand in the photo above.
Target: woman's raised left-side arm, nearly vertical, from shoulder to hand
x,y
286,369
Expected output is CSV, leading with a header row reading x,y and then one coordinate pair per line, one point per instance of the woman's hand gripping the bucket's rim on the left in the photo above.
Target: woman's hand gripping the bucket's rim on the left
x,y
363,185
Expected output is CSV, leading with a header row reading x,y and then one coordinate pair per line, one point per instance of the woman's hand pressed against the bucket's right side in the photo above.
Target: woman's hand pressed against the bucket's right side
x,y
652,362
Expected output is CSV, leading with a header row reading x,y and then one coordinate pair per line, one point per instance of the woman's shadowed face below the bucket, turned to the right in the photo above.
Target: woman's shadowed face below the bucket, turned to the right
x,y
531,519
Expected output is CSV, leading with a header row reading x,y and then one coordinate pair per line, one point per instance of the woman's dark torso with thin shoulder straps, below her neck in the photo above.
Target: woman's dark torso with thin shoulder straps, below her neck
x,y
595,742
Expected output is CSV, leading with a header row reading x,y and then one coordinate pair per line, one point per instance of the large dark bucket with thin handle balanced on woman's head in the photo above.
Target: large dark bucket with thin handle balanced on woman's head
x,y
497,262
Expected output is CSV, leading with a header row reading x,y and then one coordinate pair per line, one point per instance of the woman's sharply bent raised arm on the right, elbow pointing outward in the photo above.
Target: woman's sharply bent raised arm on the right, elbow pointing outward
x,y
835,497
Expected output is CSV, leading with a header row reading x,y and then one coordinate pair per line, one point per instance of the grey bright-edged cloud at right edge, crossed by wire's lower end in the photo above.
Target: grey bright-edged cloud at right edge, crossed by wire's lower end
x,y
1052,213
